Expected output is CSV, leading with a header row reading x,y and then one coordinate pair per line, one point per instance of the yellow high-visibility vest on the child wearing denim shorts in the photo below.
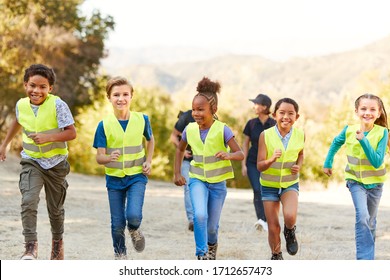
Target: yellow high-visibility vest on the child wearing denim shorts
x,y
278,175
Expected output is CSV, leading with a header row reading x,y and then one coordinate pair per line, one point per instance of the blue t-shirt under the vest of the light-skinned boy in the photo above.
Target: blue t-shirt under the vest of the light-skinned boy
x,y
100,141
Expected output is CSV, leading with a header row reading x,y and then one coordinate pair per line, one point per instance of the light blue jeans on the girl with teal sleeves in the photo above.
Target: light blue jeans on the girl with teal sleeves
x,y
366,202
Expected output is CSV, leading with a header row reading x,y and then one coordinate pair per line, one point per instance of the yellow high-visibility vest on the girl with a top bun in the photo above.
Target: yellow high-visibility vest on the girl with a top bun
x,y
205,166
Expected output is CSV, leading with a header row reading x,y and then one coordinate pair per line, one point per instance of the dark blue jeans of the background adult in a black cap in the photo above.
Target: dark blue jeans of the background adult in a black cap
x,y
254,179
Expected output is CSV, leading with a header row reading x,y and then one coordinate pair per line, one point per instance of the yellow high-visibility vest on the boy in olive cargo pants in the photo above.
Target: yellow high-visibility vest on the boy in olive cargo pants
x,y
44,122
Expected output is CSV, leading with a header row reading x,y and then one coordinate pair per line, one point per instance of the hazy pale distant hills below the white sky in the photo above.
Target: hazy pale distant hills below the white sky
x,y
312,79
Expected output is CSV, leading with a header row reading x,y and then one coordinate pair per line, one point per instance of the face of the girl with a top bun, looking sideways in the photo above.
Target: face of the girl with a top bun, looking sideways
x,y
202,112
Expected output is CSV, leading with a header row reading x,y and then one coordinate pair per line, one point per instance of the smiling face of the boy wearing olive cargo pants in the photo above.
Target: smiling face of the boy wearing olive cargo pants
x,y
37,88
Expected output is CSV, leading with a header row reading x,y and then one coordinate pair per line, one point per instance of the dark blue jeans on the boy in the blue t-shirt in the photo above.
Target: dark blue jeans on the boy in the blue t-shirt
x,y
122,212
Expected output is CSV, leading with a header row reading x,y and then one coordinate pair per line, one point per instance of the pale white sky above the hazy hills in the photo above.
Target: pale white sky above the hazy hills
x,y
276,29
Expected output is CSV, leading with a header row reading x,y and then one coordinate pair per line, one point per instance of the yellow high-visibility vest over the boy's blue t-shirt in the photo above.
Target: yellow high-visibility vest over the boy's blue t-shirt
x,y
129,142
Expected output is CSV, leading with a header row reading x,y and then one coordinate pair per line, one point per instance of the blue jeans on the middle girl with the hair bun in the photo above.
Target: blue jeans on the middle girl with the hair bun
x,y
207,202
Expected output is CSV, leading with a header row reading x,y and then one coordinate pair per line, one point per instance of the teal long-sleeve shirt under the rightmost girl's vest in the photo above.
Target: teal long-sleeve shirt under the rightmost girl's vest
x,y
375,157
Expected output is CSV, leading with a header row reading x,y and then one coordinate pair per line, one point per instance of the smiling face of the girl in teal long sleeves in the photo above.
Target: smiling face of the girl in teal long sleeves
x,y
368,111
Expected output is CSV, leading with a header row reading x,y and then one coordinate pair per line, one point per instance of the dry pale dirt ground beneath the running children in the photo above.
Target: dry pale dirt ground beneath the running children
x,y
325,227
